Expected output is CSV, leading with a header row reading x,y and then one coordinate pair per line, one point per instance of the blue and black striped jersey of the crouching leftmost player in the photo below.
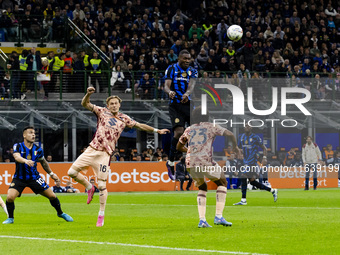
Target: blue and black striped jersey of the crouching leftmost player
x,y
23,171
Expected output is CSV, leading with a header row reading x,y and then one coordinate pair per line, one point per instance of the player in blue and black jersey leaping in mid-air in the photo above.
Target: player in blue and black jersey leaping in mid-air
x,y
179,84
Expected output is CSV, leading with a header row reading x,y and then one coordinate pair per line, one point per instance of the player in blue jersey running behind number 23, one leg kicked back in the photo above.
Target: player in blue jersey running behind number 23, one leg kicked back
x,y
250,144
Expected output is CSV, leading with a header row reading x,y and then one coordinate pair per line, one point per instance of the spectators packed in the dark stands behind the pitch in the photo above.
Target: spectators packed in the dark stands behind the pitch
x,y
286,39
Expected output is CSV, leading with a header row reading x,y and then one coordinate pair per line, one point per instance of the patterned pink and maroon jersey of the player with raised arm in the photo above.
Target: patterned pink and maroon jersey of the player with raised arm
x,y
109,128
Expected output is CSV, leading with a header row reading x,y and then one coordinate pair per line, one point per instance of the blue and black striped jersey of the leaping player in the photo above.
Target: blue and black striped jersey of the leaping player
x,y
180,80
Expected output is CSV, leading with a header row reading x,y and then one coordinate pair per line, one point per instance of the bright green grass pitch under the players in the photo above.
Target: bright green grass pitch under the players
x,y
300,222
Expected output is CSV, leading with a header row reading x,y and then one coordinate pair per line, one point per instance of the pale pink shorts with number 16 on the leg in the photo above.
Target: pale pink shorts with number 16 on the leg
x,y
99,160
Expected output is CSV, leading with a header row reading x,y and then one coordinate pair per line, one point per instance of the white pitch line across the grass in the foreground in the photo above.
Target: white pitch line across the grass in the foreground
x,y
129,245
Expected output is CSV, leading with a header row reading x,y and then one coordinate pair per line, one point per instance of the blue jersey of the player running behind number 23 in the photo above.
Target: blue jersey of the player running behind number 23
x,y
250,146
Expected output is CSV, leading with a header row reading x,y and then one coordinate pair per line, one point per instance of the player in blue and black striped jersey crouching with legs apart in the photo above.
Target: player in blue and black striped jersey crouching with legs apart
x,y
26,155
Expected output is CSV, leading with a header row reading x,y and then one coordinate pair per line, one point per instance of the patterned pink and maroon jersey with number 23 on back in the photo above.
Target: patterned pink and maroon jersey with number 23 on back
x,y
200,138
